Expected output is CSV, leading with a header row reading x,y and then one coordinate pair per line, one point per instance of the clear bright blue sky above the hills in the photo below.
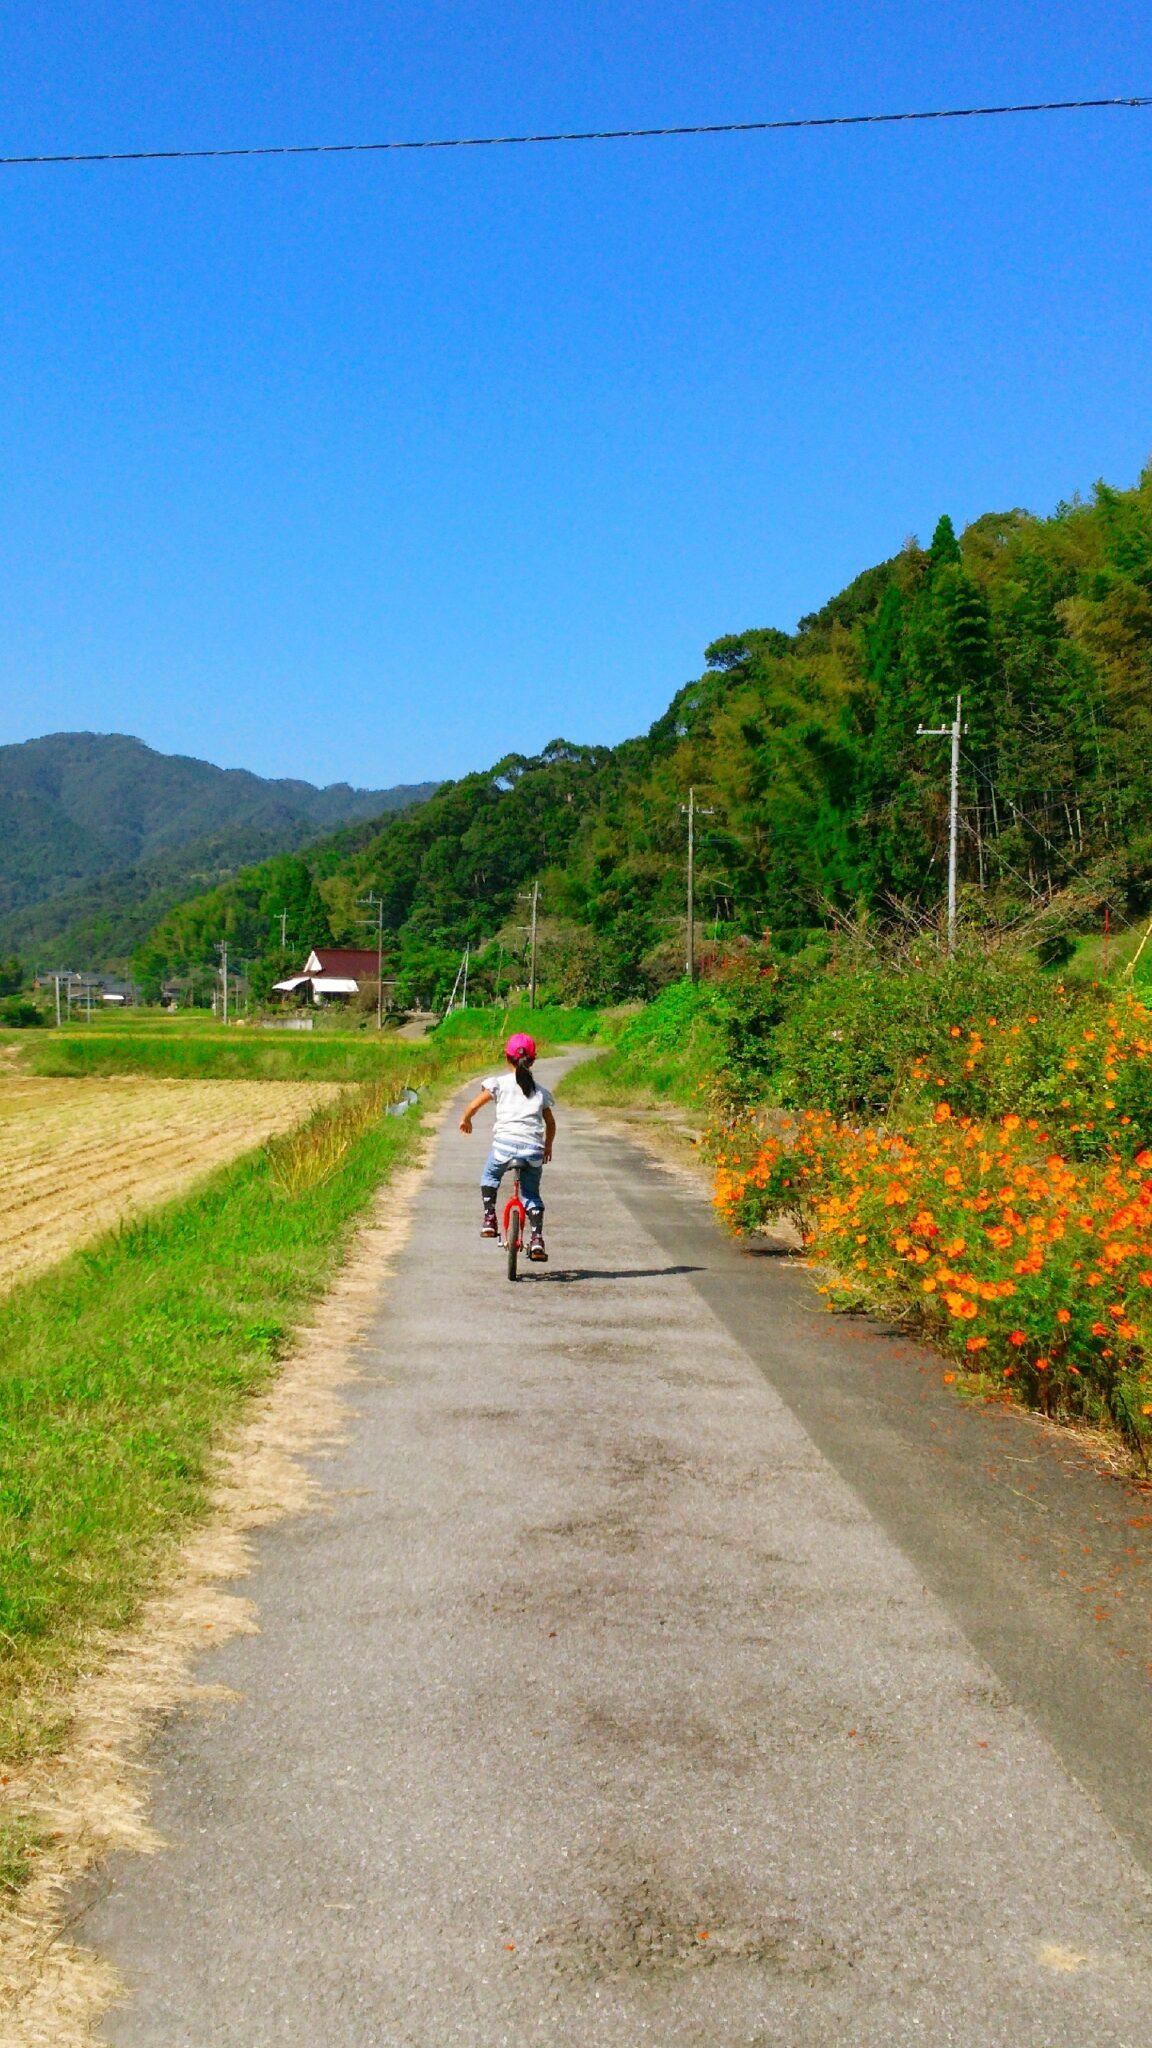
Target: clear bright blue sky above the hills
x,y
376,468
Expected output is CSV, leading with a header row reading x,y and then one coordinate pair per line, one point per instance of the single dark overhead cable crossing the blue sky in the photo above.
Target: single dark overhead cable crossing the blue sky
x,y
520,142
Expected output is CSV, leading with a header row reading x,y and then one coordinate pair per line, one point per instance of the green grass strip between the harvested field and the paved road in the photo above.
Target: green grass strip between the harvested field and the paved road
x,y
122,1367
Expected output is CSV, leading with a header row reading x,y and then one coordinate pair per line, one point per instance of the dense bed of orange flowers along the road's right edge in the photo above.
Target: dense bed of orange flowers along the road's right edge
x,y
1032,1267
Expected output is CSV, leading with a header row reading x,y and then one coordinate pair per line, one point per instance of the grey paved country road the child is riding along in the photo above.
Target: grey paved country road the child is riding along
x,y
673,1666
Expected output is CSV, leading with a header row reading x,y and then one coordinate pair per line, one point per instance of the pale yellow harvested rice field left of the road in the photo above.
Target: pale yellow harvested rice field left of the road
x,y
83,1156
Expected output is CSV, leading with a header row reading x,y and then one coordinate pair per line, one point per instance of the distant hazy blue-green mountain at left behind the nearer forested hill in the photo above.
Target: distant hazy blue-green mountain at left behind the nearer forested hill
x,y
101,835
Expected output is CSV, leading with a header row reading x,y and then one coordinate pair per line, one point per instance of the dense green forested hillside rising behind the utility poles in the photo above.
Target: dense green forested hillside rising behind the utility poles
x,y
823,800
